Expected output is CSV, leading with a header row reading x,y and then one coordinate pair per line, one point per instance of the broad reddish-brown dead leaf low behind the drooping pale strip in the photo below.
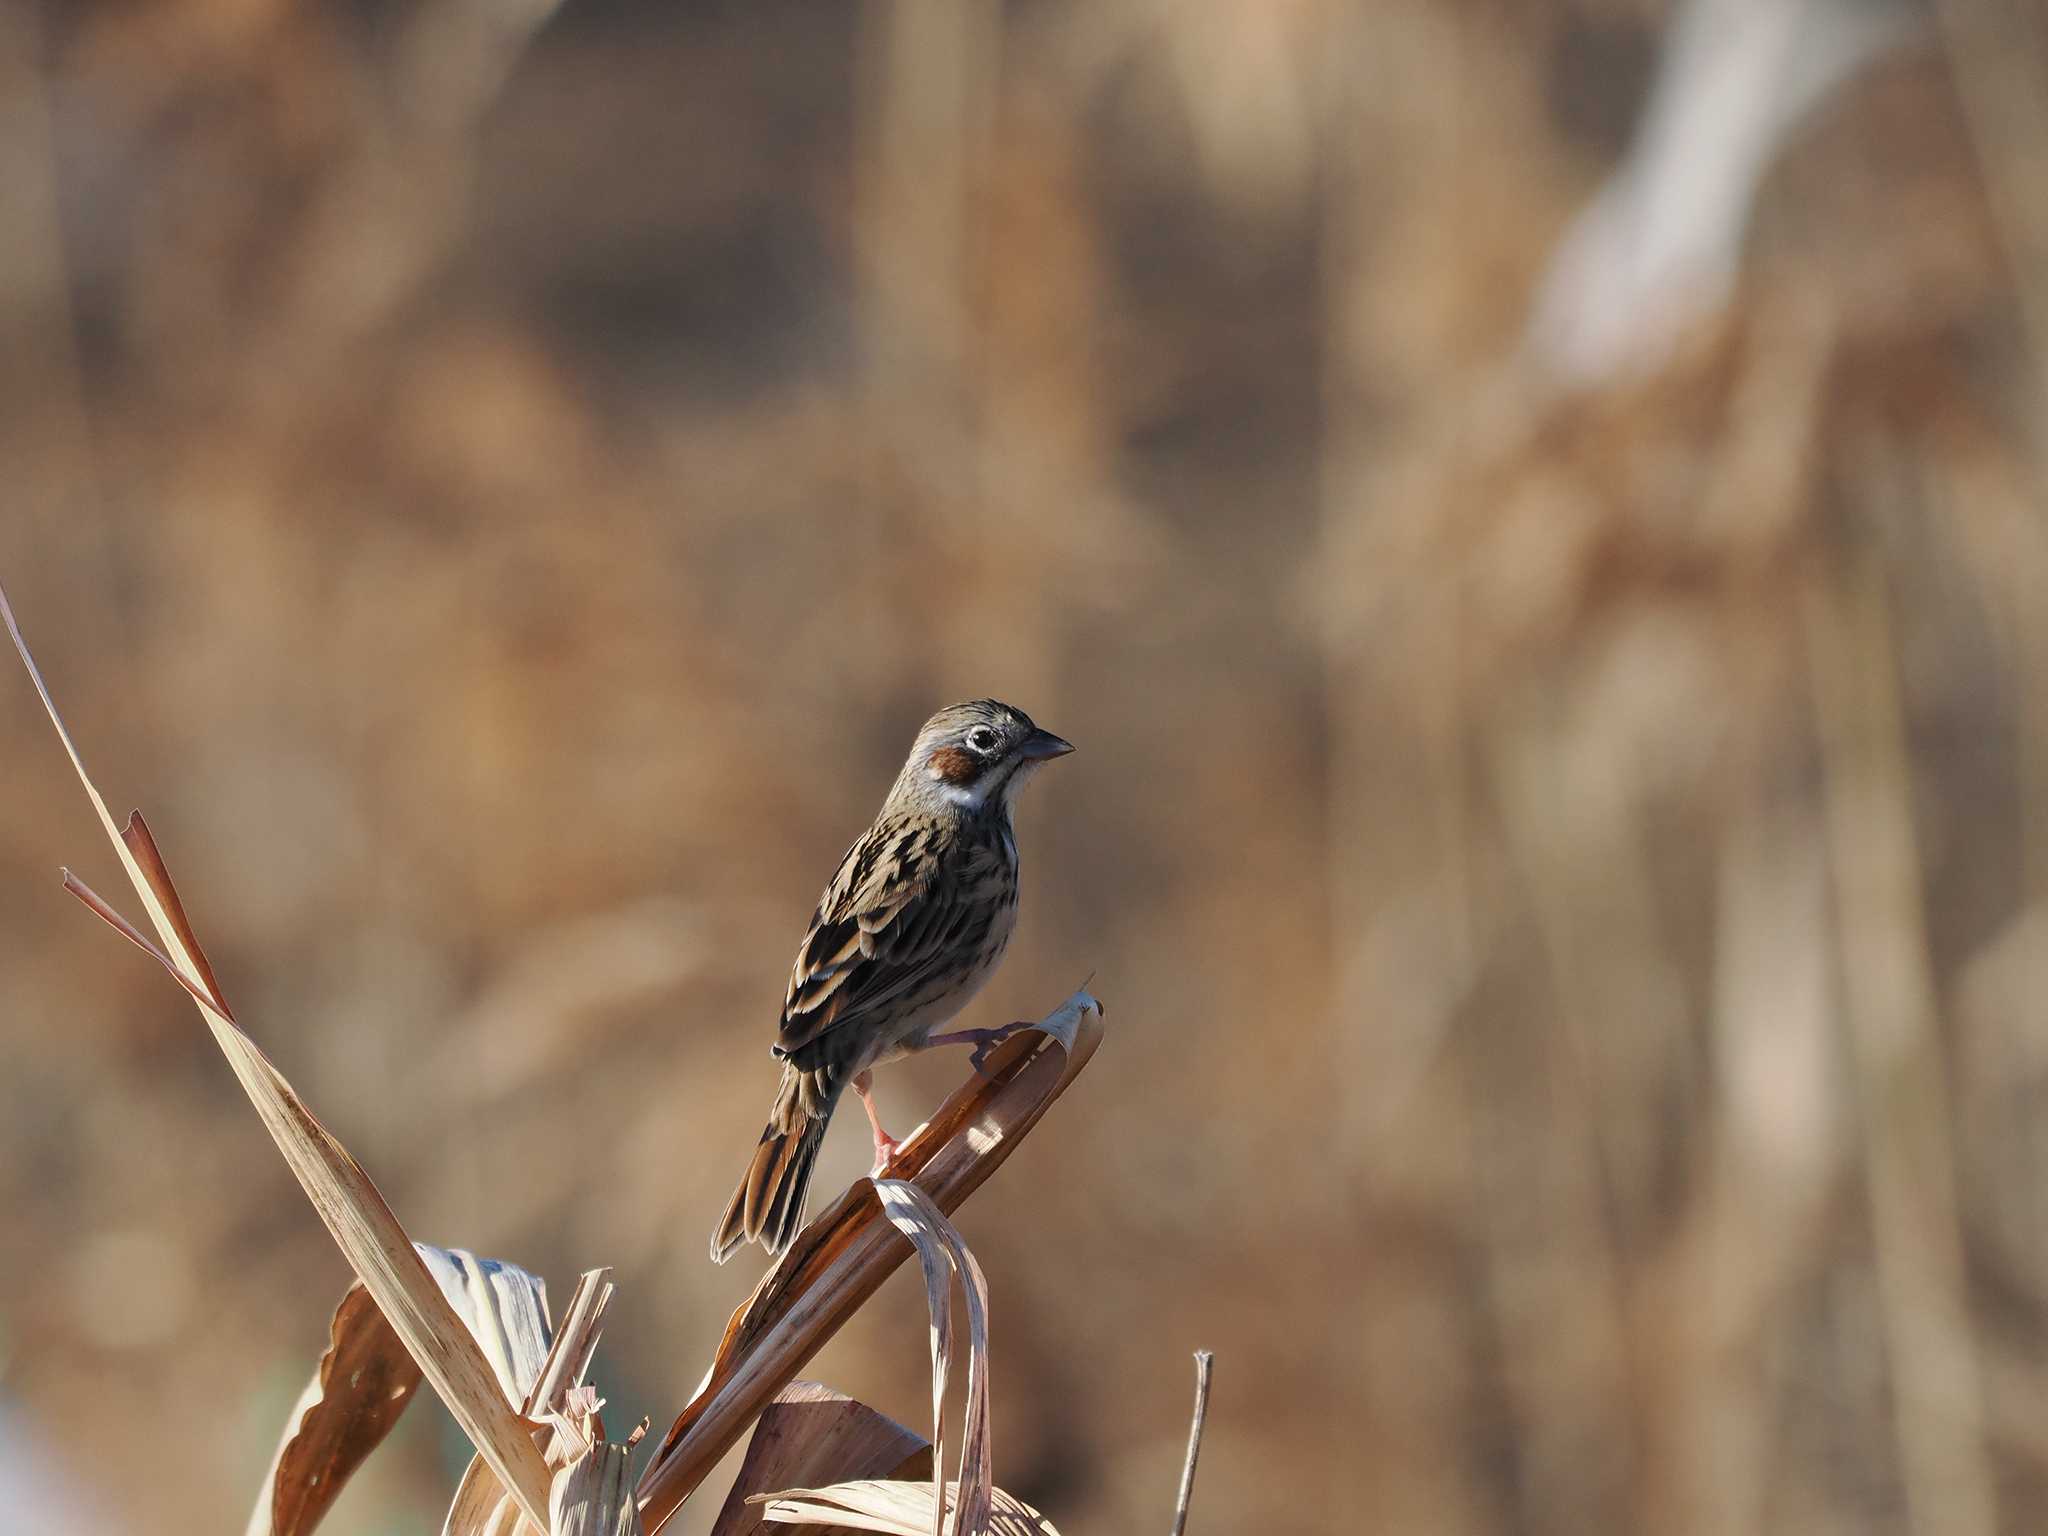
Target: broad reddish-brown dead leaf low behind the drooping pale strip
x,y
814,1437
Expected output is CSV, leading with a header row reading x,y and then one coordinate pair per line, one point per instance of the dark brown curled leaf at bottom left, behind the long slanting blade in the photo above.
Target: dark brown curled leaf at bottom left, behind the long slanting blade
x,y
361,1388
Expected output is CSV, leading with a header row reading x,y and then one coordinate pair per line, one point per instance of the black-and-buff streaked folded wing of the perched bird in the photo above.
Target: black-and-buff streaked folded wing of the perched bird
x,y
878,935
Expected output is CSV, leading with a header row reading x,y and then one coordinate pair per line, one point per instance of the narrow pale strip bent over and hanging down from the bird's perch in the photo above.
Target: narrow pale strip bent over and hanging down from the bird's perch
x,y
941,1248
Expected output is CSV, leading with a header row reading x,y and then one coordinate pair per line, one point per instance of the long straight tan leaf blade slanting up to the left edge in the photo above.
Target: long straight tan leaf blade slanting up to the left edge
x,y
351,1207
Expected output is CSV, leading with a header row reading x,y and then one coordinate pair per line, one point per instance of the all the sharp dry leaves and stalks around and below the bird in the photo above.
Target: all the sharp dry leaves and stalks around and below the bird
x,y
480,1332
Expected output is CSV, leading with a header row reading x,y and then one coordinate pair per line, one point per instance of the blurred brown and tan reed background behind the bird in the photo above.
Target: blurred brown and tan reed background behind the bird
x,y
1533,515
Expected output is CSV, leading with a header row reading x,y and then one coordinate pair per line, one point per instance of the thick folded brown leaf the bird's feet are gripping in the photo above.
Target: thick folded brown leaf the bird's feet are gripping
x,y
849,1250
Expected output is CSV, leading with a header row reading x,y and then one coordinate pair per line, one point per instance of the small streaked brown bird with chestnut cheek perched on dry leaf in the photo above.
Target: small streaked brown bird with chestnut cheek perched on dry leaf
x,y
904,937
